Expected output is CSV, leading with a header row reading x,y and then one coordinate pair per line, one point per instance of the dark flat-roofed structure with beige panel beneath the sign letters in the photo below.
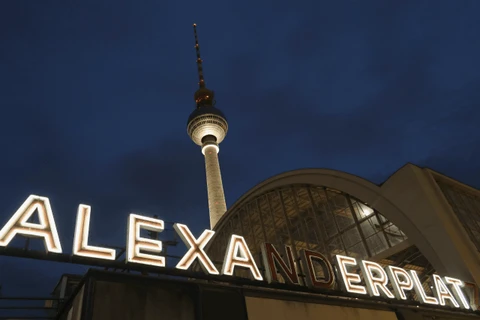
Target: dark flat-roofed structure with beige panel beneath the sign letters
x,y
106,295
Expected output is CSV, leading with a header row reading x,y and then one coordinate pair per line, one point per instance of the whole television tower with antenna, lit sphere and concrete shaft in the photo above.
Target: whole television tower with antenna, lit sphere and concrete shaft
x,y
207,127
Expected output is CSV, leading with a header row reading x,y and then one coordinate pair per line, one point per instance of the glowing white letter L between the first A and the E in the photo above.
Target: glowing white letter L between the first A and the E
x,y
80,239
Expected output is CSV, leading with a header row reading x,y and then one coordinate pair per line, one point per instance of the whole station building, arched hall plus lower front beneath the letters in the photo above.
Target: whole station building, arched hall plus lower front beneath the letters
x,y
418,219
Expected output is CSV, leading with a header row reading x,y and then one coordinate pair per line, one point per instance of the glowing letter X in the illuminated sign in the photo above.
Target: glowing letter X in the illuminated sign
x,y
196,249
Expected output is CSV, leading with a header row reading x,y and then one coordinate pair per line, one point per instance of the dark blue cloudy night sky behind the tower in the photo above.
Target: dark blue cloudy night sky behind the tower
x,y
95,97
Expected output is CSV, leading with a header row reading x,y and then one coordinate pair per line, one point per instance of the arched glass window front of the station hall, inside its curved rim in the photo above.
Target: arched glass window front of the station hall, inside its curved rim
x,y
308,217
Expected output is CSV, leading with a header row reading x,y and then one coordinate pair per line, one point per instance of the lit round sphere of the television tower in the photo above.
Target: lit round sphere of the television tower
x,y
206,121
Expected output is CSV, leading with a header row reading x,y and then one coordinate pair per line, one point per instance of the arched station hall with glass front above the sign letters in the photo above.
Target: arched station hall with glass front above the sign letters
x,y
418,218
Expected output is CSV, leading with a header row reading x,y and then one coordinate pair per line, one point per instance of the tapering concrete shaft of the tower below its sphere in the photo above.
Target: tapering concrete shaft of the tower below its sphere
x,y
216,196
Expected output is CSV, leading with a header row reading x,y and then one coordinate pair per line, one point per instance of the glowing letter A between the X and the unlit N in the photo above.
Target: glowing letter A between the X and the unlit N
x,y
238,254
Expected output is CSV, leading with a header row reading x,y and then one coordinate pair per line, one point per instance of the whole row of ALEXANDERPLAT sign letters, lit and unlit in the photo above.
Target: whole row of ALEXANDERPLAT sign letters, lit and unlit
x,y
314,271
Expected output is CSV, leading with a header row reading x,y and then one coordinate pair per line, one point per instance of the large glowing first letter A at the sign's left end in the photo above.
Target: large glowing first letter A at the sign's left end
x,y
46,229
